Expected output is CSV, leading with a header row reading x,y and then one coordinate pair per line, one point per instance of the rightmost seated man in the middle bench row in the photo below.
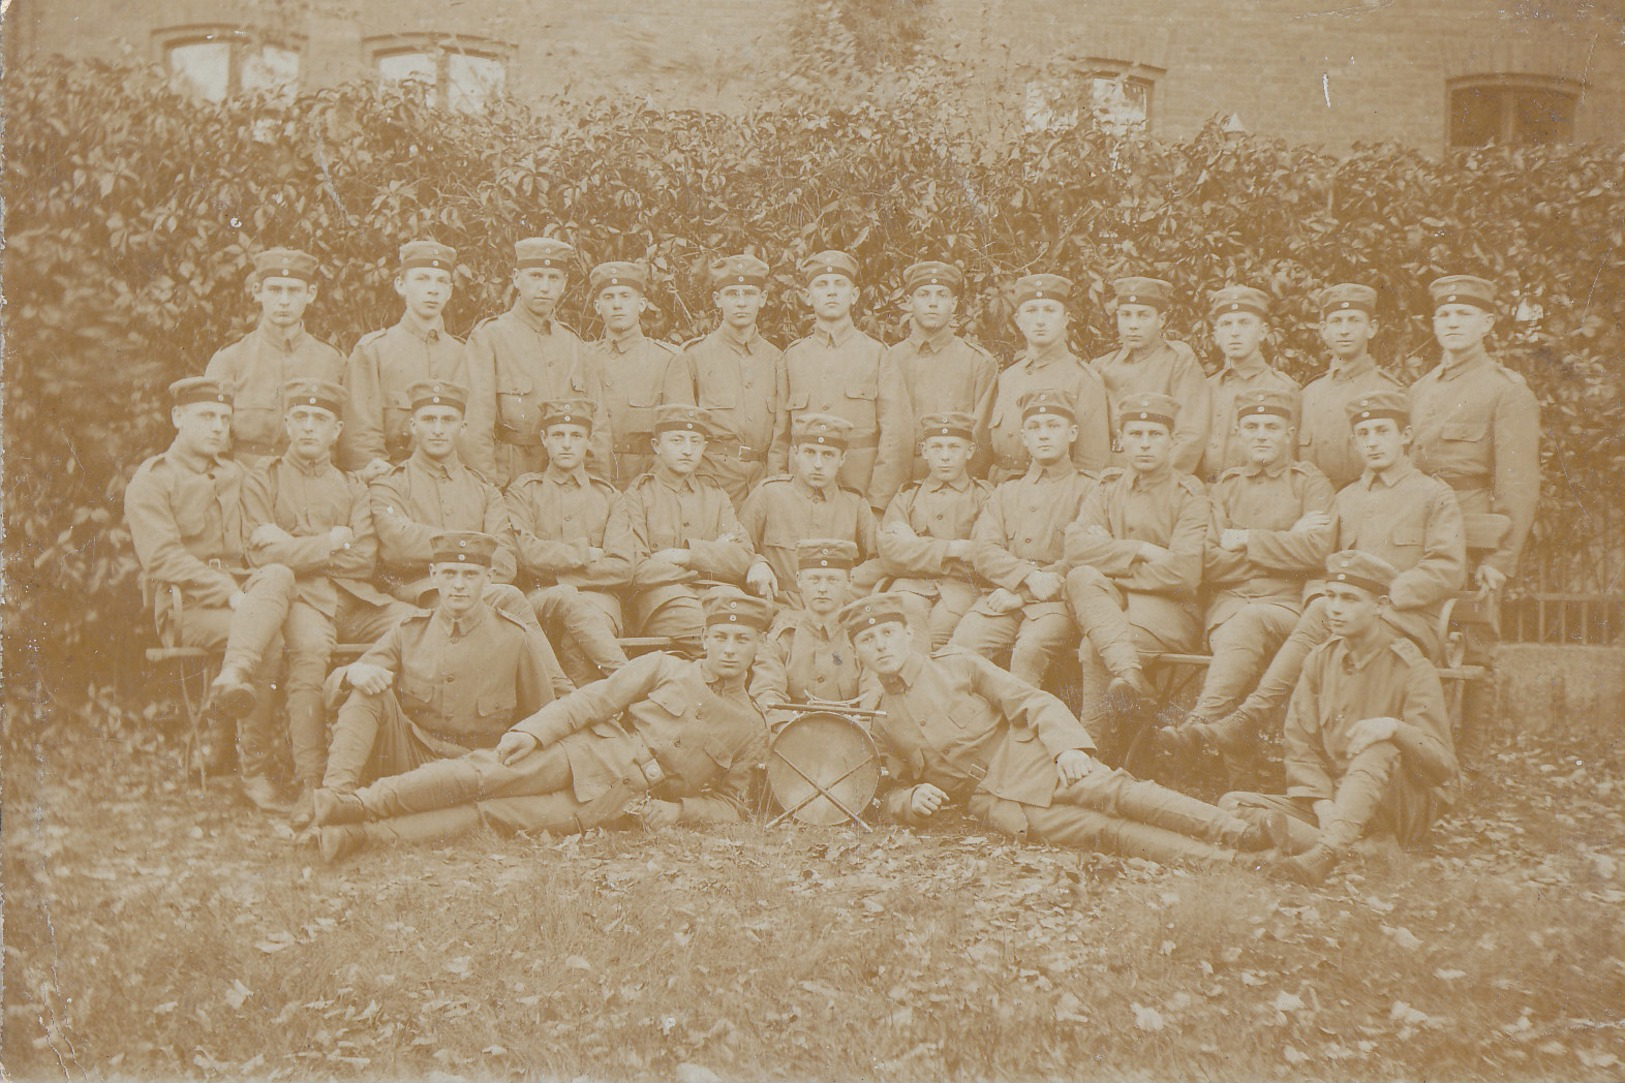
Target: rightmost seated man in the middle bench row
x,y
1395,513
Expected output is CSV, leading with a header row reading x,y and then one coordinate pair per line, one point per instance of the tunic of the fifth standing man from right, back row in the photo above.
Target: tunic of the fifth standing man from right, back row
x,y
1054,370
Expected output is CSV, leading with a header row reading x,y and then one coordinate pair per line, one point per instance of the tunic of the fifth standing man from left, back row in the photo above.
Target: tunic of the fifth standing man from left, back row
x,y
737,383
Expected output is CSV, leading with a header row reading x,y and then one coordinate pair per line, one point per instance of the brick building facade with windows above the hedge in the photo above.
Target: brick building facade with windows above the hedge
x,y
1325,72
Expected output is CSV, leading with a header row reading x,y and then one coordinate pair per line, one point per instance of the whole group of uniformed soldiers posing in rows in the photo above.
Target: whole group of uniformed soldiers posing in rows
x,y
839,521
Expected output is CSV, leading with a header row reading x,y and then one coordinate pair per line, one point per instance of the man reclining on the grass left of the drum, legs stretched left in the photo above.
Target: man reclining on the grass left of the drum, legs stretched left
x,y
674,741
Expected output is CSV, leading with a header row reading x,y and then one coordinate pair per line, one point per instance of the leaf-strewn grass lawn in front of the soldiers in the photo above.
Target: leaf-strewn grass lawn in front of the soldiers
x,y
154,931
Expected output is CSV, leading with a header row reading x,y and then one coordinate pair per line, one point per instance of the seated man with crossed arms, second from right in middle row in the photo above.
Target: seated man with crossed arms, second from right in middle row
x,y
1267,541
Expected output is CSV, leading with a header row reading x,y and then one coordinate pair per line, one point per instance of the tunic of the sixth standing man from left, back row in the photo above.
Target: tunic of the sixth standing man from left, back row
x,y
843,375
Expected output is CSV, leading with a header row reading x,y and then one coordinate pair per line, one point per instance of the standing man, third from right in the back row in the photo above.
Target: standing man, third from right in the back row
x,y
1241,318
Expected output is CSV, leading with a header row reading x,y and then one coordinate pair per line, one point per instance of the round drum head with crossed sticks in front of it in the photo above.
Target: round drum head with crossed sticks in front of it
x,y
823,754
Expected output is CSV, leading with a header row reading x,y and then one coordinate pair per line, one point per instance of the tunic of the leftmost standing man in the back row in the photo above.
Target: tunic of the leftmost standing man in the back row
x,y
254,370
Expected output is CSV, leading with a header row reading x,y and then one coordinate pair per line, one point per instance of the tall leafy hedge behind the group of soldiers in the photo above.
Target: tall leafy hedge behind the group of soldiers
x,y
131,215
